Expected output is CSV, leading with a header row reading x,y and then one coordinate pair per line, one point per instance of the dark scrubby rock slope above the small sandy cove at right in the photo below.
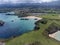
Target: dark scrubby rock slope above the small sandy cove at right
x,y
53,28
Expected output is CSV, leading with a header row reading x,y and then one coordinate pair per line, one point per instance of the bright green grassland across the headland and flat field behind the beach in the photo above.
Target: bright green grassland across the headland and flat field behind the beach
x,y
34,36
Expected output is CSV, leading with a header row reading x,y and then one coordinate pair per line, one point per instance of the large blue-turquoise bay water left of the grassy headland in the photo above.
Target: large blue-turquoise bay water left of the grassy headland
x,y
15,28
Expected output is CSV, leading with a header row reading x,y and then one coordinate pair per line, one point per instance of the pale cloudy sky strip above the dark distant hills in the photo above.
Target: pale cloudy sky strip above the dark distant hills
x,y
24,1
